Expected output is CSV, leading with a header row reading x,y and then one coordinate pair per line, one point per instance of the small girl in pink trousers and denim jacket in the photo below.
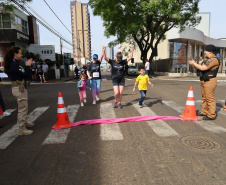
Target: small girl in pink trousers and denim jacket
x,y
82,87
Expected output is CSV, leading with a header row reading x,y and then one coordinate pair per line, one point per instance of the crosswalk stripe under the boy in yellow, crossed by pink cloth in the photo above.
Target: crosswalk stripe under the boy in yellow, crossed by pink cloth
x,y
160,127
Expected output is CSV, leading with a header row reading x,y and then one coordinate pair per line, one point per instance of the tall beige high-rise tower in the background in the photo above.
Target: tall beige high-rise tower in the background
x,y
80,21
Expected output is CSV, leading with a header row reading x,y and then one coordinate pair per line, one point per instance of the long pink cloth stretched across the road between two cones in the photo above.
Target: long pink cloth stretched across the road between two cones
x,y
130,119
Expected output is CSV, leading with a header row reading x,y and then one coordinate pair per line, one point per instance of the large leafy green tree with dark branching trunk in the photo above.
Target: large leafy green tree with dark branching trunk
x,y
144,22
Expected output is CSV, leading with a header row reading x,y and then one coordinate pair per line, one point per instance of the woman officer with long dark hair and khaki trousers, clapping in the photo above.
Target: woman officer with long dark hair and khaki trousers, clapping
x,y
18,76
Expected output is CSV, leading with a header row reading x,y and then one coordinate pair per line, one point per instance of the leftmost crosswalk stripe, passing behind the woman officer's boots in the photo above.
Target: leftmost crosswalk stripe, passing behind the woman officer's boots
x,y
9,136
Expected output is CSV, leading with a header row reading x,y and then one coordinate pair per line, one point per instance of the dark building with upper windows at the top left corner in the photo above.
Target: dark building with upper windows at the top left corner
x,y
17,29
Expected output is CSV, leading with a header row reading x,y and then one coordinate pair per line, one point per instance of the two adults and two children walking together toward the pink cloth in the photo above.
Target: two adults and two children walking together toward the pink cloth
x,y
117,75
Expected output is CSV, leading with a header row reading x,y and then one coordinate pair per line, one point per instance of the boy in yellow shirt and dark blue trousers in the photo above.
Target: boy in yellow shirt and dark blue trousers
x,y
142,80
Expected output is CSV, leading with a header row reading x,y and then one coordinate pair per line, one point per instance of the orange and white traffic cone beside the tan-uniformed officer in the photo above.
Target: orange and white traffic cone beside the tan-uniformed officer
x,y
190,111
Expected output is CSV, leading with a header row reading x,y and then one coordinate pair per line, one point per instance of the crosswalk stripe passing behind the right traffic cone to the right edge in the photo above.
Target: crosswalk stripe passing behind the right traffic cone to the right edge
x,y
207,125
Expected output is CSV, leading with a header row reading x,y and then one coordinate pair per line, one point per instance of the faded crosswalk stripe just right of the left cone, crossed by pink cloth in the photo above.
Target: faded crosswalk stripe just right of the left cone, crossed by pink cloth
x,y
60,136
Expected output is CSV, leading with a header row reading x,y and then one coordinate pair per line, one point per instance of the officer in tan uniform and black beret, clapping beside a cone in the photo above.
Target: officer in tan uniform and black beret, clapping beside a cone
x,y
208,68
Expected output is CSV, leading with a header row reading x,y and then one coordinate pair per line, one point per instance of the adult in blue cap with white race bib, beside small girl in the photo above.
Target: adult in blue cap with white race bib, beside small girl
x,y
94,75
